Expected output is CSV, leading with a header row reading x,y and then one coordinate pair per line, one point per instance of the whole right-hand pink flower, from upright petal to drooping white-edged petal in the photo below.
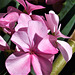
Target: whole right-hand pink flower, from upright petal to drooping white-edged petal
x,y
52,24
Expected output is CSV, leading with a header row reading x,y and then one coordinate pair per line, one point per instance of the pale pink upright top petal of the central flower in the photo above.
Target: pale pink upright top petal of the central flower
x,y
36,27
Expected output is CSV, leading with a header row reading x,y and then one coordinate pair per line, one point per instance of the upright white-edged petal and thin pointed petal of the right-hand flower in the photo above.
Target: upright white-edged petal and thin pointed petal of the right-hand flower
x,y
52,24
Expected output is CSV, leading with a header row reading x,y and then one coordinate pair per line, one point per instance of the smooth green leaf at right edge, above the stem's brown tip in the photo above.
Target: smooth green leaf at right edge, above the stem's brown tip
x,y
69,26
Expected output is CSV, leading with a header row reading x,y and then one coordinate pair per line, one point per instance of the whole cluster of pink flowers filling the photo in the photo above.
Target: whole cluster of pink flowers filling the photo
x,y
35,46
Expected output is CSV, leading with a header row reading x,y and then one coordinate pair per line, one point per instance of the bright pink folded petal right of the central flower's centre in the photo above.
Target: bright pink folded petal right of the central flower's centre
x,y
46,47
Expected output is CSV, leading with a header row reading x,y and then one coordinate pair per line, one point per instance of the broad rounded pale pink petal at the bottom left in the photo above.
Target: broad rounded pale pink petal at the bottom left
x,y
18,64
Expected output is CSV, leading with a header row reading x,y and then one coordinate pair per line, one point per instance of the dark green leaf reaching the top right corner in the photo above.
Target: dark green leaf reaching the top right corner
x,y
66,8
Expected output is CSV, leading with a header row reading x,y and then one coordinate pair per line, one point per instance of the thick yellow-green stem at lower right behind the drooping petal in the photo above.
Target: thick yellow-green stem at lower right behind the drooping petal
x,y
60,63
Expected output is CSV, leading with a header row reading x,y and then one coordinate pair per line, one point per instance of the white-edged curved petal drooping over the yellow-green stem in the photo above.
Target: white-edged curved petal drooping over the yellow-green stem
x,y
65,49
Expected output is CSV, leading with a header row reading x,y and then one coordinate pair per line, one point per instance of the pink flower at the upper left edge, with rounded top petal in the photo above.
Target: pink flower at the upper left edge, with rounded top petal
x,y
8,22
